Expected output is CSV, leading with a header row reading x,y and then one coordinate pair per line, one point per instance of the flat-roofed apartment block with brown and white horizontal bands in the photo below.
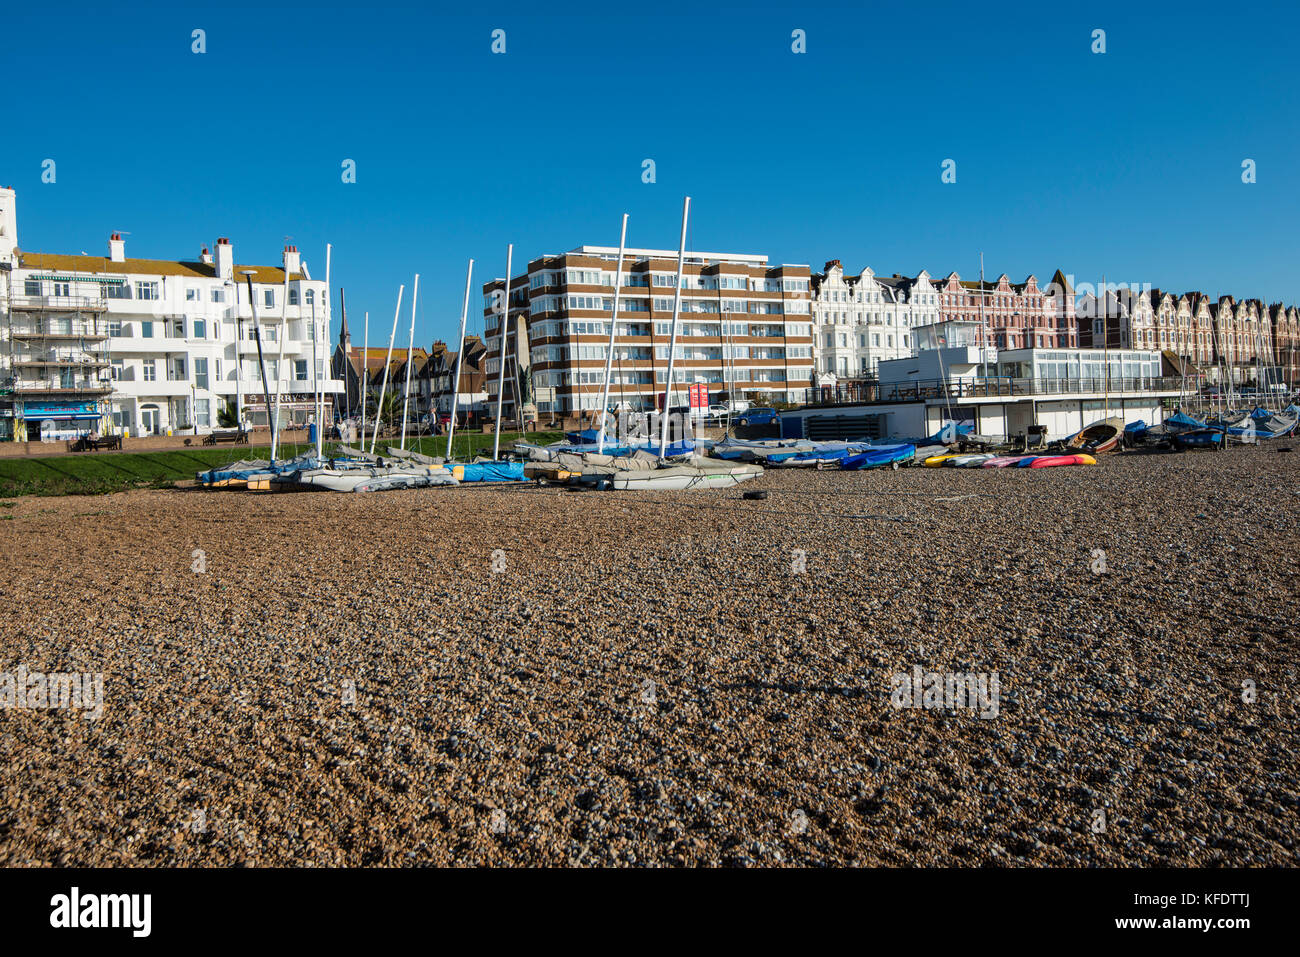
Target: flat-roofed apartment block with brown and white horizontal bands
x,y
746,331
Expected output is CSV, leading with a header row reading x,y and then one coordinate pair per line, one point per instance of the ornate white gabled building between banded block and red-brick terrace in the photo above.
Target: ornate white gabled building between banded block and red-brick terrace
x,y
863,321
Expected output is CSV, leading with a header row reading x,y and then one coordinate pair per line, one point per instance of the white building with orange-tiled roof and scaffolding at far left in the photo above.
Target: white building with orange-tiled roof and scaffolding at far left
x,y
145,347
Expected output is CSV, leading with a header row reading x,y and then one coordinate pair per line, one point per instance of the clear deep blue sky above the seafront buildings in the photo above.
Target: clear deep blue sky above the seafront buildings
x,y
1126,163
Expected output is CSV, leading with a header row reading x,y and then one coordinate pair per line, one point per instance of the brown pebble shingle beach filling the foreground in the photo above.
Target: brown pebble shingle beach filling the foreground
x,y
649,678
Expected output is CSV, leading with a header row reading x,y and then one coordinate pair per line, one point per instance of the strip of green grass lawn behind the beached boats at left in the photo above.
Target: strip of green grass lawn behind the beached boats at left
x,y
94,474
